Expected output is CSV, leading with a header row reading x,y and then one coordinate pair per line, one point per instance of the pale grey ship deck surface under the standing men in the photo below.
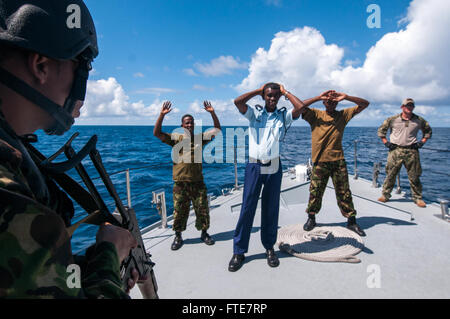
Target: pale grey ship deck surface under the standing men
x,y
413,257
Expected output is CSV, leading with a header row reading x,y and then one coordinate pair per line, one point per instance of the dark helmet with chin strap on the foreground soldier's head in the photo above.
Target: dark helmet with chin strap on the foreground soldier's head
x,y
58,29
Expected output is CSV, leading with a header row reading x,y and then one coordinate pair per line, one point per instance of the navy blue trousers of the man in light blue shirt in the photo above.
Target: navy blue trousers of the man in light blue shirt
x,y
270,204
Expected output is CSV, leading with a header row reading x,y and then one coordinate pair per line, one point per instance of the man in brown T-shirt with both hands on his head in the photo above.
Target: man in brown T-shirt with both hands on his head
x,y
327,130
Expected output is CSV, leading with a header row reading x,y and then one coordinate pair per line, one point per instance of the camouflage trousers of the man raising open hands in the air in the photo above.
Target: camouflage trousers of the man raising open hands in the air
x,y
183,194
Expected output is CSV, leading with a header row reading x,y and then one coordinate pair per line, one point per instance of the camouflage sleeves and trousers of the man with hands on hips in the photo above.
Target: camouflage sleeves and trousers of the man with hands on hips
x,y
404,155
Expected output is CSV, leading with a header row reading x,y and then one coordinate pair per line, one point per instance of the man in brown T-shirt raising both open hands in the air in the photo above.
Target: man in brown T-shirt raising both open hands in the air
x,y
187,172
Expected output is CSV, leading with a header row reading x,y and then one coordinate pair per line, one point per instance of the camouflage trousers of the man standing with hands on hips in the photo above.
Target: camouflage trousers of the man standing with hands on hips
x,y
411,160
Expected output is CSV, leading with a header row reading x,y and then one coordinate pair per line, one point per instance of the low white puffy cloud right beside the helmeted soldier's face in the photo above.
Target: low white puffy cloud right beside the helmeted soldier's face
x,y
107,98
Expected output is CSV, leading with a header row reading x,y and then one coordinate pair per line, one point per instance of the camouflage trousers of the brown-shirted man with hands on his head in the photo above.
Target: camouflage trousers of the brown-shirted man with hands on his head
x,y
319,179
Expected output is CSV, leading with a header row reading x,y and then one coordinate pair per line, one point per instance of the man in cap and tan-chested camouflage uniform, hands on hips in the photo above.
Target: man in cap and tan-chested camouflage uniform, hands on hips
x,y
404,149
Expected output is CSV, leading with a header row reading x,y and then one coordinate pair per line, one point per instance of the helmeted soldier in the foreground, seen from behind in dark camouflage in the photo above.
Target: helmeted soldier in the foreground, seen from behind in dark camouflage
x,y
44,67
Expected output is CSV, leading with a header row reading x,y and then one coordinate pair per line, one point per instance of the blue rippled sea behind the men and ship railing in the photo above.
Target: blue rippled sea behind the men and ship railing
x,y
135,147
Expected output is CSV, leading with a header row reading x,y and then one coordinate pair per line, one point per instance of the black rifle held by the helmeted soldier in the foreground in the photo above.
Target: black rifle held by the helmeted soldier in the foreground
x,y
93,203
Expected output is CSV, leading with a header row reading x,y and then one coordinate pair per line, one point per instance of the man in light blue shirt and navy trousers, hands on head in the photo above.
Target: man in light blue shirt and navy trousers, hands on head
x,y
267,126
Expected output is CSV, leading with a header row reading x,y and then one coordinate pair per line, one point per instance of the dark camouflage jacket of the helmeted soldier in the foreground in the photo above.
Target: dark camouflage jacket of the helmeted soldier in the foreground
x,y
36,260
